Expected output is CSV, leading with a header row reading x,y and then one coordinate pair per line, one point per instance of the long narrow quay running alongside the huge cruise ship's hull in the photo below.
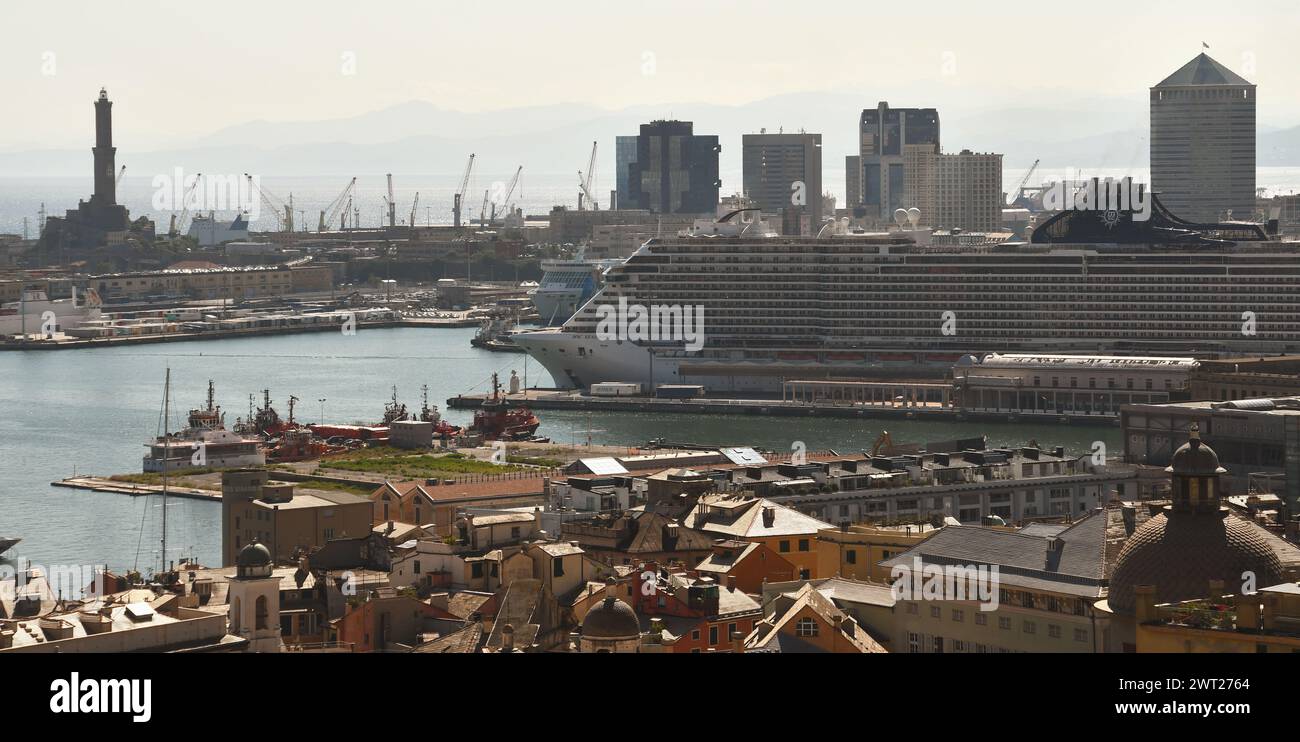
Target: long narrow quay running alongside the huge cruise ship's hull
x,y
579,402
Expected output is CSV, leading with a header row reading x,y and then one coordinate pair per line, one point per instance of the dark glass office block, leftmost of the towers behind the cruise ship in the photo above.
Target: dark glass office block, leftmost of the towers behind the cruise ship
x,y
675,171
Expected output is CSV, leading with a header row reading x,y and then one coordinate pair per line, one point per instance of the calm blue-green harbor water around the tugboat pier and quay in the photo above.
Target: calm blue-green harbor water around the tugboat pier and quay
x,y
92,411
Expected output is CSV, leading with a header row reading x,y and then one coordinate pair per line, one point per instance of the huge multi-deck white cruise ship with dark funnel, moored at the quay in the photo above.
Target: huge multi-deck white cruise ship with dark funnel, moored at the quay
x,y
909,305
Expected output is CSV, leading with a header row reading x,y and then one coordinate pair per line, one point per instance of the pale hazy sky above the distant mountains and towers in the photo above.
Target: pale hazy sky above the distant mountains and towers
x,y
189,70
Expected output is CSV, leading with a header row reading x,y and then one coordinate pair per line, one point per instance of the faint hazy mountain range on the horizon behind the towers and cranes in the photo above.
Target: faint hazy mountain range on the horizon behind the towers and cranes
x,y
419,137
